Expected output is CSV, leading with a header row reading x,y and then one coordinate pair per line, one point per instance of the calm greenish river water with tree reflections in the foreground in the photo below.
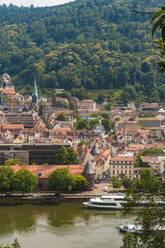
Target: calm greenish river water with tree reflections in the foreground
x,y
67,225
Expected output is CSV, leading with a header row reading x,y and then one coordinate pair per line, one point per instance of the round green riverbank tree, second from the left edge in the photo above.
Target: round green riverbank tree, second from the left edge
x,y
24,181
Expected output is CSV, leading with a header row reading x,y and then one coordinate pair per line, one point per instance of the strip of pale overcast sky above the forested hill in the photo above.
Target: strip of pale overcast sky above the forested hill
x,y
34,2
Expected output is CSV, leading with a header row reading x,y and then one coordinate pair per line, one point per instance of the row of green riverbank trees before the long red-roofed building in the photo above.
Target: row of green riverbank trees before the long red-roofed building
x,y
24,181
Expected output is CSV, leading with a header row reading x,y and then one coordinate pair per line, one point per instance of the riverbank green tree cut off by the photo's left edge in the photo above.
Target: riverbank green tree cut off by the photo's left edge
x,y
6,178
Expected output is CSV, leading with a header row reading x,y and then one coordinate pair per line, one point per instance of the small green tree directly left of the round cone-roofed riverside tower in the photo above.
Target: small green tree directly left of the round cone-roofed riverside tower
x,y
79,183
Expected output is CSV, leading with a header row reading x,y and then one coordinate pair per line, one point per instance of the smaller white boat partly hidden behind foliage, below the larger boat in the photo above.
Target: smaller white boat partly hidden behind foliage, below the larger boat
x,y
132,228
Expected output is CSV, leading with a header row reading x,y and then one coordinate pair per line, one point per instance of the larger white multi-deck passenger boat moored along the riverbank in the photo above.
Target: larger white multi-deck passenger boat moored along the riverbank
x,y
106,202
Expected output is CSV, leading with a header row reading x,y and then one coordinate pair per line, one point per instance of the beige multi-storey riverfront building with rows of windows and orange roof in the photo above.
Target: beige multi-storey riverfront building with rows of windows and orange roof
x,y
120,167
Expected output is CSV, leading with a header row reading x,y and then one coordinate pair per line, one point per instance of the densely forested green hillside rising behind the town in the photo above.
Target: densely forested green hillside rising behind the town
x,y
95,44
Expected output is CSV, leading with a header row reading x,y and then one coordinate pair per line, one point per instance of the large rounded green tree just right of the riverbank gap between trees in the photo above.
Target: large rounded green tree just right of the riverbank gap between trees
x,y
60,180
